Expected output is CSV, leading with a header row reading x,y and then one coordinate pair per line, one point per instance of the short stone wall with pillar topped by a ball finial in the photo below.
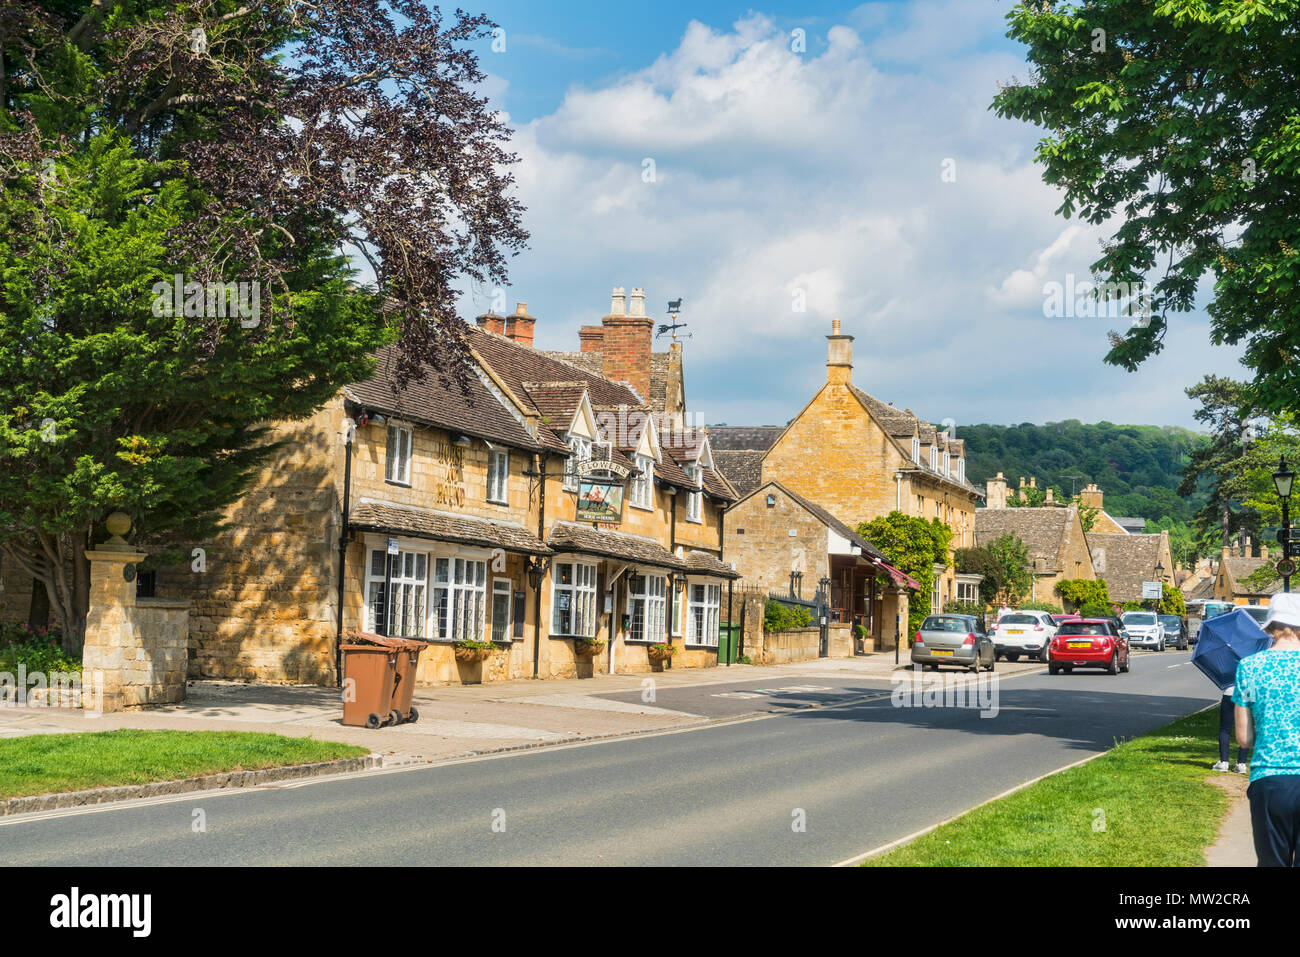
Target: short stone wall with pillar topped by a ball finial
x,y
141,648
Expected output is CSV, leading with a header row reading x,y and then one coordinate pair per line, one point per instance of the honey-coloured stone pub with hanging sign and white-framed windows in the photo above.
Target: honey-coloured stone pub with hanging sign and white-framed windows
x,y
558,508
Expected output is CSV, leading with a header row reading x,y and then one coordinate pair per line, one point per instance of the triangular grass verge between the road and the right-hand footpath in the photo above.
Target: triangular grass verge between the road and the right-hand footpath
x,y
1146,804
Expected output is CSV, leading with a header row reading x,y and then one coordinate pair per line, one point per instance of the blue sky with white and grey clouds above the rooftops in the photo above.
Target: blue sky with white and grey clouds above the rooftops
x,y
816,180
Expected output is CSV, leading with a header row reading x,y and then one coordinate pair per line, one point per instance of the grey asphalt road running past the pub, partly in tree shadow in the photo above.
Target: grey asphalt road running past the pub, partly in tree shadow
x,y
859,774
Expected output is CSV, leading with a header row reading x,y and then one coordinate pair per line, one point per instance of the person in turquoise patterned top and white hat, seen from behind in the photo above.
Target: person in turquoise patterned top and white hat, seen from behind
x,y
1268,718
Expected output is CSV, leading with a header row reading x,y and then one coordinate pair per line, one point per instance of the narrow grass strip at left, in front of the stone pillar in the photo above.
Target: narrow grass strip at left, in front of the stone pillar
x,y
53,764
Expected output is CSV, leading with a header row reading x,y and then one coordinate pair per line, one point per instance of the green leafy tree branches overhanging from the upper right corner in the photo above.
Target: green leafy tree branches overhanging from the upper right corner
x,y
1181,122
